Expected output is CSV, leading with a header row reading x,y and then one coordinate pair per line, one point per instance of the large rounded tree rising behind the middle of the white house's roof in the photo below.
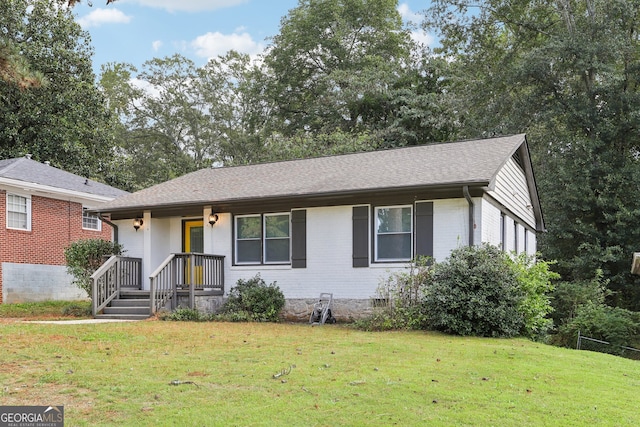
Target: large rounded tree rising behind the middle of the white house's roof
x,y
332,62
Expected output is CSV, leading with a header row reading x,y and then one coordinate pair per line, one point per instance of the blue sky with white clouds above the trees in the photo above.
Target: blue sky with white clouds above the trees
x,y
134,31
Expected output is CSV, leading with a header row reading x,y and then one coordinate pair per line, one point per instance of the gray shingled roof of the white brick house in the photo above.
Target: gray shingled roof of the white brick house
x,y
466,162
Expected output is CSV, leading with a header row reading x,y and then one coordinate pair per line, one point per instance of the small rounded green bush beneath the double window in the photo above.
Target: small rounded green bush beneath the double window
x,y
253,300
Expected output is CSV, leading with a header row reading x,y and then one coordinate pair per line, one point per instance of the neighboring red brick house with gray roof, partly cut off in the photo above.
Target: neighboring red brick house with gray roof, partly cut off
x,y
42,211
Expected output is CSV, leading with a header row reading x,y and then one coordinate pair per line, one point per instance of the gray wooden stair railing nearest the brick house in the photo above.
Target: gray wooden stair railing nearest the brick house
x,y
116,273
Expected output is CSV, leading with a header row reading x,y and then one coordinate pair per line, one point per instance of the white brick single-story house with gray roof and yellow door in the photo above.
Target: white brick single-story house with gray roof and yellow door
x,y
333,224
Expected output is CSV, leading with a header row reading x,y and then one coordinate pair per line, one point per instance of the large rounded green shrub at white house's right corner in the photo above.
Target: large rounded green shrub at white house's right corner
x,y
475,292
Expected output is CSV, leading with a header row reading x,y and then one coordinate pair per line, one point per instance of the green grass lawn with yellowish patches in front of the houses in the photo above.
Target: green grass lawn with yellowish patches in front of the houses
x,y
155,373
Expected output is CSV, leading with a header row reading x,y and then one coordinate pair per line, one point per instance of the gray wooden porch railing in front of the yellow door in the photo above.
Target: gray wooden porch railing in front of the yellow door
x,y
185,271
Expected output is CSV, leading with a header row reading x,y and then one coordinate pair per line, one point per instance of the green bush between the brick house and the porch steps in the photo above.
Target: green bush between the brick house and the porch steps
x,y
84,257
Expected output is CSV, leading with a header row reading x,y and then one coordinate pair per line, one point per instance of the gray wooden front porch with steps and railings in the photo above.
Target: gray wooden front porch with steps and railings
x,y
118,291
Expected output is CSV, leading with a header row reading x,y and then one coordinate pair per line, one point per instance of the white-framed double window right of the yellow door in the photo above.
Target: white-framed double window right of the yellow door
x,y
263,239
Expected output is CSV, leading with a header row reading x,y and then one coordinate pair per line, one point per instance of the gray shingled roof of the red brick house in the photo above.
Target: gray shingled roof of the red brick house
x,y
30,171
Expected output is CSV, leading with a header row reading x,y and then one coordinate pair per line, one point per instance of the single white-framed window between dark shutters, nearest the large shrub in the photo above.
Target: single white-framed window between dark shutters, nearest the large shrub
x,y
394,233
